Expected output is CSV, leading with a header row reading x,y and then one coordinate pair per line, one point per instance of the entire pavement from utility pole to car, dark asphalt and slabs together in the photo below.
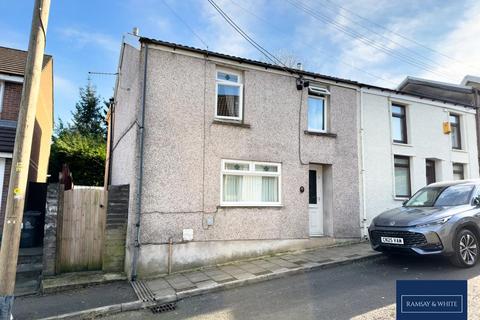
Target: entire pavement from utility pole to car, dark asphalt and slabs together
x,y
120,296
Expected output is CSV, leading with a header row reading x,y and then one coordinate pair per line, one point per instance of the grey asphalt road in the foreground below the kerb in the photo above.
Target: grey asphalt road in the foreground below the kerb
x,y
364,290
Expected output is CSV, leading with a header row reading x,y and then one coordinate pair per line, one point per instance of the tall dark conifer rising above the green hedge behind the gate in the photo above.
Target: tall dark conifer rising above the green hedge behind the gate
x,y
89,115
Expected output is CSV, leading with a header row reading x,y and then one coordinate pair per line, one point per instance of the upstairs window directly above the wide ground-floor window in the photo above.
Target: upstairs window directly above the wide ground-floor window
x,y
229,98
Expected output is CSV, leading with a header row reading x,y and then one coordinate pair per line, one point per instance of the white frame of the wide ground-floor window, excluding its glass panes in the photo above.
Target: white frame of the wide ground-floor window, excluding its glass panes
x,y
251,172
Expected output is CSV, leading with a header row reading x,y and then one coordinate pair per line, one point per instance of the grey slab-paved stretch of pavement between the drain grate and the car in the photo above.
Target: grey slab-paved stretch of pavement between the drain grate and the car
x,y
185,284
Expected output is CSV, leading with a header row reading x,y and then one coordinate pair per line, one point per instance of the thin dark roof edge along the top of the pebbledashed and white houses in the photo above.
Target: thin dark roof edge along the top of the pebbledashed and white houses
x,y
291,70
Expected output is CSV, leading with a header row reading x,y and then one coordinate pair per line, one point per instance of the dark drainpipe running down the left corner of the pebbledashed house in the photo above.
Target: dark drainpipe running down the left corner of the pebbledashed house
x,y
136,247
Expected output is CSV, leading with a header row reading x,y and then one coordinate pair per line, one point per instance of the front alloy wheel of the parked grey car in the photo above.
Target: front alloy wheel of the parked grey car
x,y
466,249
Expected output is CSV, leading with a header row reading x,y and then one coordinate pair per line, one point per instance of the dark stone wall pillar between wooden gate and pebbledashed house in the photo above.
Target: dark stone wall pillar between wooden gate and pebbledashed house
x,y
115,229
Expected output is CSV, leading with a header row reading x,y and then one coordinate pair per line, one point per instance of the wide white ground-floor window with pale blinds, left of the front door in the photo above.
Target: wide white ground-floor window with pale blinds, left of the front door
x,y
248,183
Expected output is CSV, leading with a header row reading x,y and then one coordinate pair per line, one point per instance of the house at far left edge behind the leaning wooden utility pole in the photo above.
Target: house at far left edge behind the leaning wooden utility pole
x,y
12,69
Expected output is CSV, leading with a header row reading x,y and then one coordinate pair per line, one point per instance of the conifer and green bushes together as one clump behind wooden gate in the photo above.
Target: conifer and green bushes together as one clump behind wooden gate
x,y
82,144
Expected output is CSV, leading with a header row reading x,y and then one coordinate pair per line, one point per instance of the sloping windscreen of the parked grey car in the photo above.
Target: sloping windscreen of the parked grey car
x,y
441,196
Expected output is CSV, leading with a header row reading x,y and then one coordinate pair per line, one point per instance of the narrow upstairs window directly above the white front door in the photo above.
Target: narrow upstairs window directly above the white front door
x,y
317,109
